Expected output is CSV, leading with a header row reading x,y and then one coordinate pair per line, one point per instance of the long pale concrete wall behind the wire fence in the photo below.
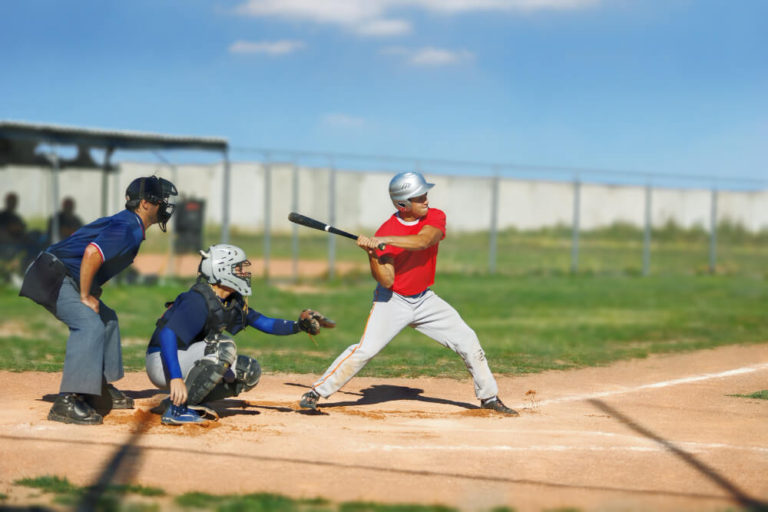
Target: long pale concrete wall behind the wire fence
x,y
362,202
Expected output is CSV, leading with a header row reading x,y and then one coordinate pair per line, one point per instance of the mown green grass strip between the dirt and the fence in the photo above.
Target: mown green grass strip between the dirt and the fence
x,y
525,323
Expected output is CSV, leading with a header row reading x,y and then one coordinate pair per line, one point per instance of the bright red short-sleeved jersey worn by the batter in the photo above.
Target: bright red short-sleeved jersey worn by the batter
x,y
414,270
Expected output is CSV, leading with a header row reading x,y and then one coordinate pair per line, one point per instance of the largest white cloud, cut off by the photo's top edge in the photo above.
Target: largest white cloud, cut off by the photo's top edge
x,y
370,17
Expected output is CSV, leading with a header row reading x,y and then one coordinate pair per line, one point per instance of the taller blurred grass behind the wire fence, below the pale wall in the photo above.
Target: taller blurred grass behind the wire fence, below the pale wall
x,y
617,249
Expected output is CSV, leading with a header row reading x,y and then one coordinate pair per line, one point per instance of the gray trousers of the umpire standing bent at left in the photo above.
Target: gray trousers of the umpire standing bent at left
x,y
93,347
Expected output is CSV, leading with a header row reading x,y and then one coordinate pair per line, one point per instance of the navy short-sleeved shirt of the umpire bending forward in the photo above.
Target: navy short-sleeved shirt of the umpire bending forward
x,y
117,238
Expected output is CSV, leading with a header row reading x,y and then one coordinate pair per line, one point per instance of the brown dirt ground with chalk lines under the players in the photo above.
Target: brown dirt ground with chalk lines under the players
x,y
655,434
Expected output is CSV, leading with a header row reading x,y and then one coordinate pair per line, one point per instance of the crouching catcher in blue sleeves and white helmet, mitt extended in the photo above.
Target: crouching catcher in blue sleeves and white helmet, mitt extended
x,y
190,355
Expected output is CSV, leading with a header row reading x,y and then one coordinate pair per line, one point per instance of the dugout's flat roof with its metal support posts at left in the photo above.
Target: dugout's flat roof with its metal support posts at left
x,y
20,144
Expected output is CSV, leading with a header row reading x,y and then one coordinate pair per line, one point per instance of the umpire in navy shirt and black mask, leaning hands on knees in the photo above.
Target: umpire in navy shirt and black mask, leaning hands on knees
x,y
66,279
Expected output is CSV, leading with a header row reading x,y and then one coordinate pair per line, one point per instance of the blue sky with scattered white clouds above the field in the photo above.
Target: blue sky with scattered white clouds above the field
x,y
661,86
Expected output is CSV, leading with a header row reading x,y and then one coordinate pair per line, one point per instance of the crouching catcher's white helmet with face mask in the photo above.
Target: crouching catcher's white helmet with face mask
x,y
226,265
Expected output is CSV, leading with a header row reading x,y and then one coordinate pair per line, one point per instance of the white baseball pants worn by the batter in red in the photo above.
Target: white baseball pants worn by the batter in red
x,y
428,314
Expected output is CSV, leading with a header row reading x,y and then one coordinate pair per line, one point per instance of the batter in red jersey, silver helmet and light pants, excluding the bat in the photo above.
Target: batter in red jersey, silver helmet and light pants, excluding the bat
x,y
404,271
